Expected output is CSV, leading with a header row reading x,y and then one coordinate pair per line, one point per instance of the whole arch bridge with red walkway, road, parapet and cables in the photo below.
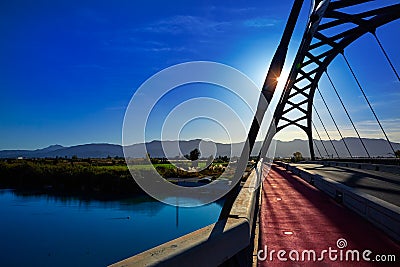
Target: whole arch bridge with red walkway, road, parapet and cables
x,y
339,199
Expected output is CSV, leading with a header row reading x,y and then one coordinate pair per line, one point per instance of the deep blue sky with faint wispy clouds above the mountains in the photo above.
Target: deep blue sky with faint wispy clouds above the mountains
x,y
70,68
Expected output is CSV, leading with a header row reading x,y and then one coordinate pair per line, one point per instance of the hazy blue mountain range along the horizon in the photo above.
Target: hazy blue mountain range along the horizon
x,y
376,147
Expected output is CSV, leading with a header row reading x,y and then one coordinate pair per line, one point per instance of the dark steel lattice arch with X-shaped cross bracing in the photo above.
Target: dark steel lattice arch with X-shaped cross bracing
x,y
331,28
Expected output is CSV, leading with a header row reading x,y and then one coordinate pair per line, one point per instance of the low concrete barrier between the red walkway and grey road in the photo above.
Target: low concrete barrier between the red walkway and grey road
x,y
380,213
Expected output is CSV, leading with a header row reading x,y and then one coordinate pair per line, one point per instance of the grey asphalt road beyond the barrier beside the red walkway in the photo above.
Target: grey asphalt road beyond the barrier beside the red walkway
x,y
385,186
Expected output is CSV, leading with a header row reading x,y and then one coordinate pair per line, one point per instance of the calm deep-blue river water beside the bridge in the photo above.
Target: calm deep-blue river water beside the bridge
x,y
52,231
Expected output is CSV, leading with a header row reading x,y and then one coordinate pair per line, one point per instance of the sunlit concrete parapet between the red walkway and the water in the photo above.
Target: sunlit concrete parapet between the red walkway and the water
x,y
214,244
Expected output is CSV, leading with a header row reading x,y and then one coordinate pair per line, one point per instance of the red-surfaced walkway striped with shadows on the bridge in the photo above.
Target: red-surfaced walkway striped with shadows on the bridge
x,y
296,216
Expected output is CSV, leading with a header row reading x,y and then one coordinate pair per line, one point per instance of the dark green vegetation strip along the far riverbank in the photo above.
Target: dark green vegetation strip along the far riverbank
x,y
109,176
